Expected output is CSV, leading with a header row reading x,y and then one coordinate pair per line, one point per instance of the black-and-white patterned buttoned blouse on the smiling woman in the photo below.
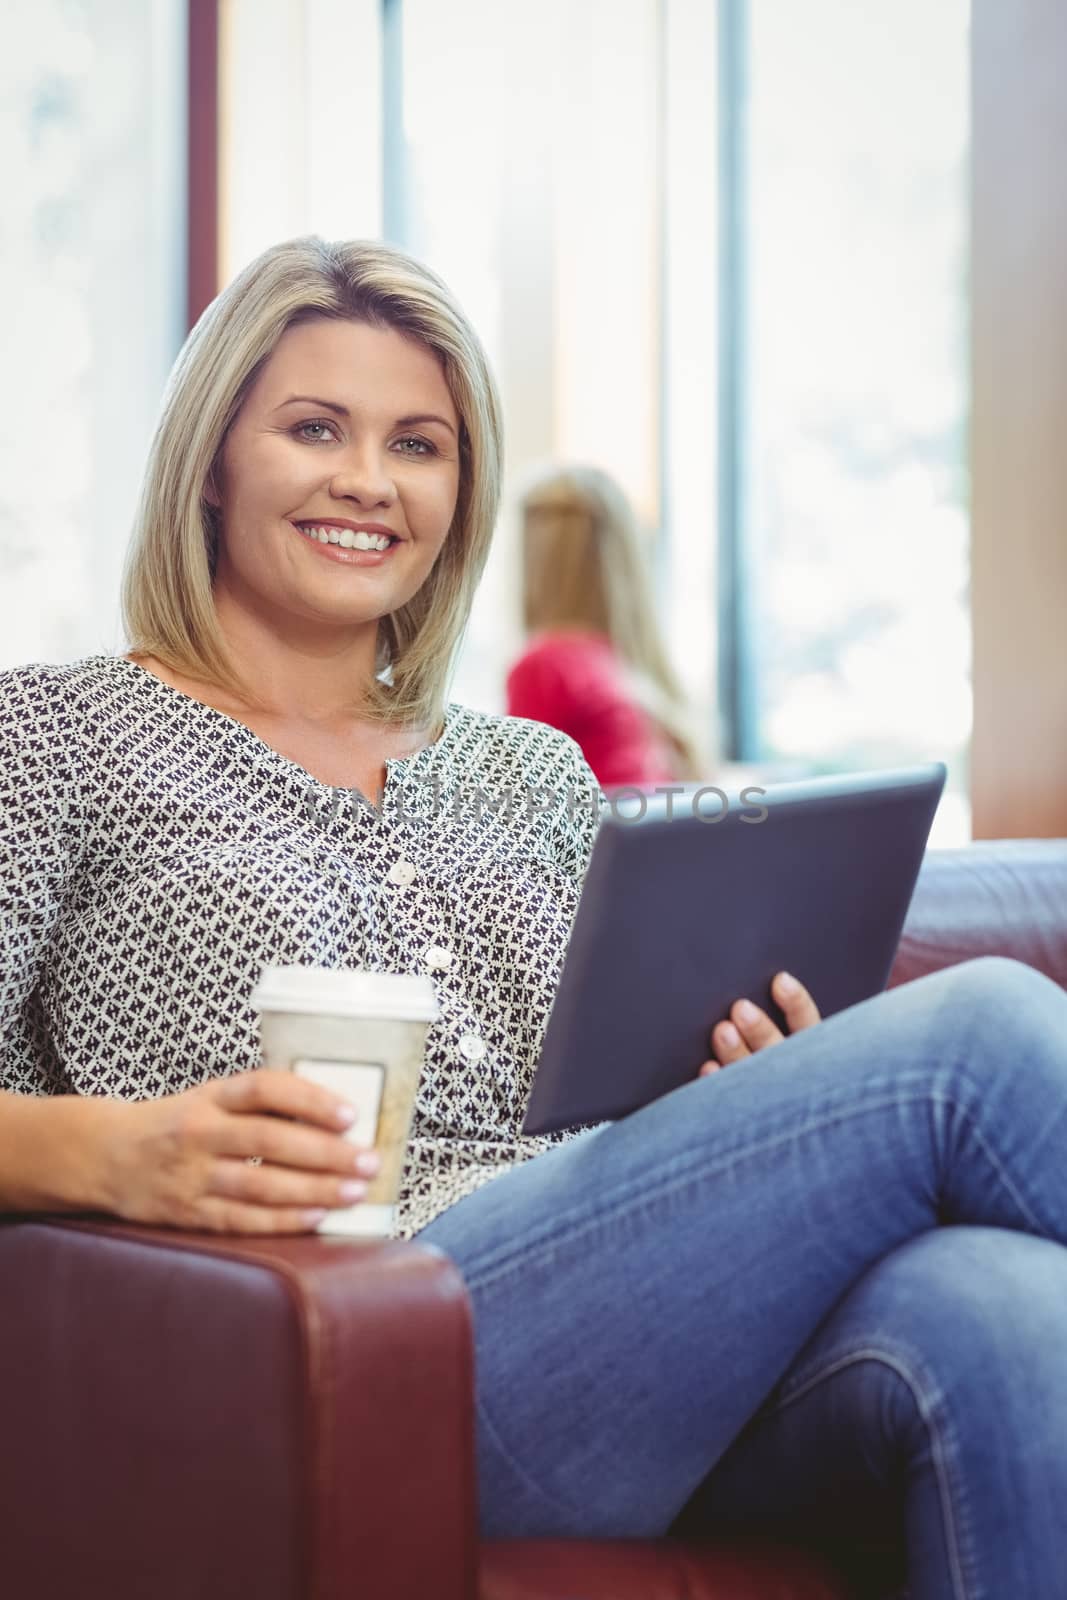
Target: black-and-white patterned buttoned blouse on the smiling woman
x,y
158,854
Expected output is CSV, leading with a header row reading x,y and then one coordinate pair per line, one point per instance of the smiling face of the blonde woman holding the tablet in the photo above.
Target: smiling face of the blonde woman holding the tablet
x,y
337,484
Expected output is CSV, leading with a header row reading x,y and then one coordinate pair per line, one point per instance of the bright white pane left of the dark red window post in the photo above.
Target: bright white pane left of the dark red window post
x,y
92,268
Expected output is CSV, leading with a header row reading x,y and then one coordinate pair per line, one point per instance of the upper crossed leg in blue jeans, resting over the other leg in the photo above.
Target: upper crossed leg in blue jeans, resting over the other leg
x,y
641,1292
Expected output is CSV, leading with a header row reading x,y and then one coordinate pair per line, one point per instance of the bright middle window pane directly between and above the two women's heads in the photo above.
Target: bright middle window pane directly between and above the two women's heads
x,y
532,164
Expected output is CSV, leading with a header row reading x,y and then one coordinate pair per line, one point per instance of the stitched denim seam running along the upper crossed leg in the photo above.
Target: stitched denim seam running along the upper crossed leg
x,y
553,1236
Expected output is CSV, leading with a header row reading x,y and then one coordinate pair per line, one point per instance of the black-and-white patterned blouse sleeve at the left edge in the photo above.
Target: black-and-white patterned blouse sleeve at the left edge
x,y
38,847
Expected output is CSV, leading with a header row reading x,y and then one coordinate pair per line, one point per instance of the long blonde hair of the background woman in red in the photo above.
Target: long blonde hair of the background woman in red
x,y
585,569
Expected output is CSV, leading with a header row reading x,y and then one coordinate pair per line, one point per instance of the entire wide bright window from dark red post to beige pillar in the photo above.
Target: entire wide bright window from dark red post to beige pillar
x,y
716,249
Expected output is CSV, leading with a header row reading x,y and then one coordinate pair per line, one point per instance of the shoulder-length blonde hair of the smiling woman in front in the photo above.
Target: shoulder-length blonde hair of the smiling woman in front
x,y
167,599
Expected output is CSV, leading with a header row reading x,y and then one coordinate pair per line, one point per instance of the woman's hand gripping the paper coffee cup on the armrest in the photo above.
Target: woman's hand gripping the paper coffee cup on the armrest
x,y
185,1161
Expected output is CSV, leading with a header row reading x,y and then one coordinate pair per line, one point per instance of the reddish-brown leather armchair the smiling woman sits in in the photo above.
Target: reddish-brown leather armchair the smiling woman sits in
x,y
198,1418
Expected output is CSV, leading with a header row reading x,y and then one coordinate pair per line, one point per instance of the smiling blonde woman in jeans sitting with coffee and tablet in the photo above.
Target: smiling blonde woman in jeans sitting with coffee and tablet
x,y
738,1298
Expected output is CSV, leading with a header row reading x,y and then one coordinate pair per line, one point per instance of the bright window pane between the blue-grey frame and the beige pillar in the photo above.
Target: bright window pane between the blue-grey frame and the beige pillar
x,y
849,630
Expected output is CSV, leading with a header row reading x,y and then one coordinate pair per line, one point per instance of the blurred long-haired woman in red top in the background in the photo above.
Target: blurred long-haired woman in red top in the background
x,y
596,665
